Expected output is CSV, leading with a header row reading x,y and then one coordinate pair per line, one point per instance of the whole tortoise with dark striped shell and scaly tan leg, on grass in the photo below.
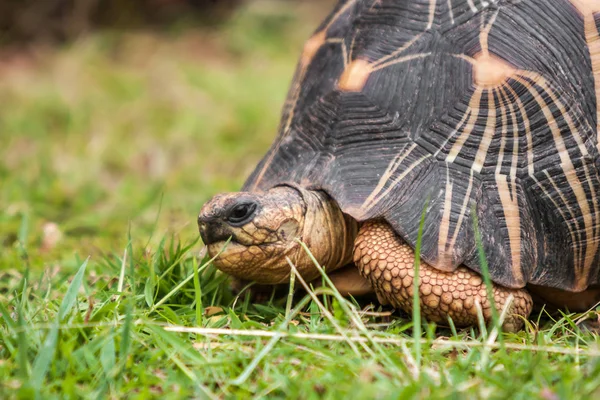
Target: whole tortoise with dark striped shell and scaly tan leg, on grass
x,y
482,116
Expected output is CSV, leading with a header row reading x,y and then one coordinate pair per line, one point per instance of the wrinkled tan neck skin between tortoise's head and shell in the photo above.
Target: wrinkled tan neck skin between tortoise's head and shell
x,y
328,233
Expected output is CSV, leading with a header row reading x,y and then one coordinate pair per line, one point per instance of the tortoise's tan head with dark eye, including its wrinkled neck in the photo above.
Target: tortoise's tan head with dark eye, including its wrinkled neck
x,y
264,228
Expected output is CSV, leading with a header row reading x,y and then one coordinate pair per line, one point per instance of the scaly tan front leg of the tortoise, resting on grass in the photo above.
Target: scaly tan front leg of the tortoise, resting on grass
x,y
388,262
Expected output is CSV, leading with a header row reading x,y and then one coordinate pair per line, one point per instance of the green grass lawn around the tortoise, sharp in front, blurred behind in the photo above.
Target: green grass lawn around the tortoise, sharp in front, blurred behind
x,y
108,148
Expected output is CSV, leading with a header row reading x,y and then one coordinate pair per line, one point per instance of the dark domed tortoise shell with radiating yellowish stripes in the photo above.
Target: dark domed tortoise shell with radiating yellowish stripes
x,y
478,112
